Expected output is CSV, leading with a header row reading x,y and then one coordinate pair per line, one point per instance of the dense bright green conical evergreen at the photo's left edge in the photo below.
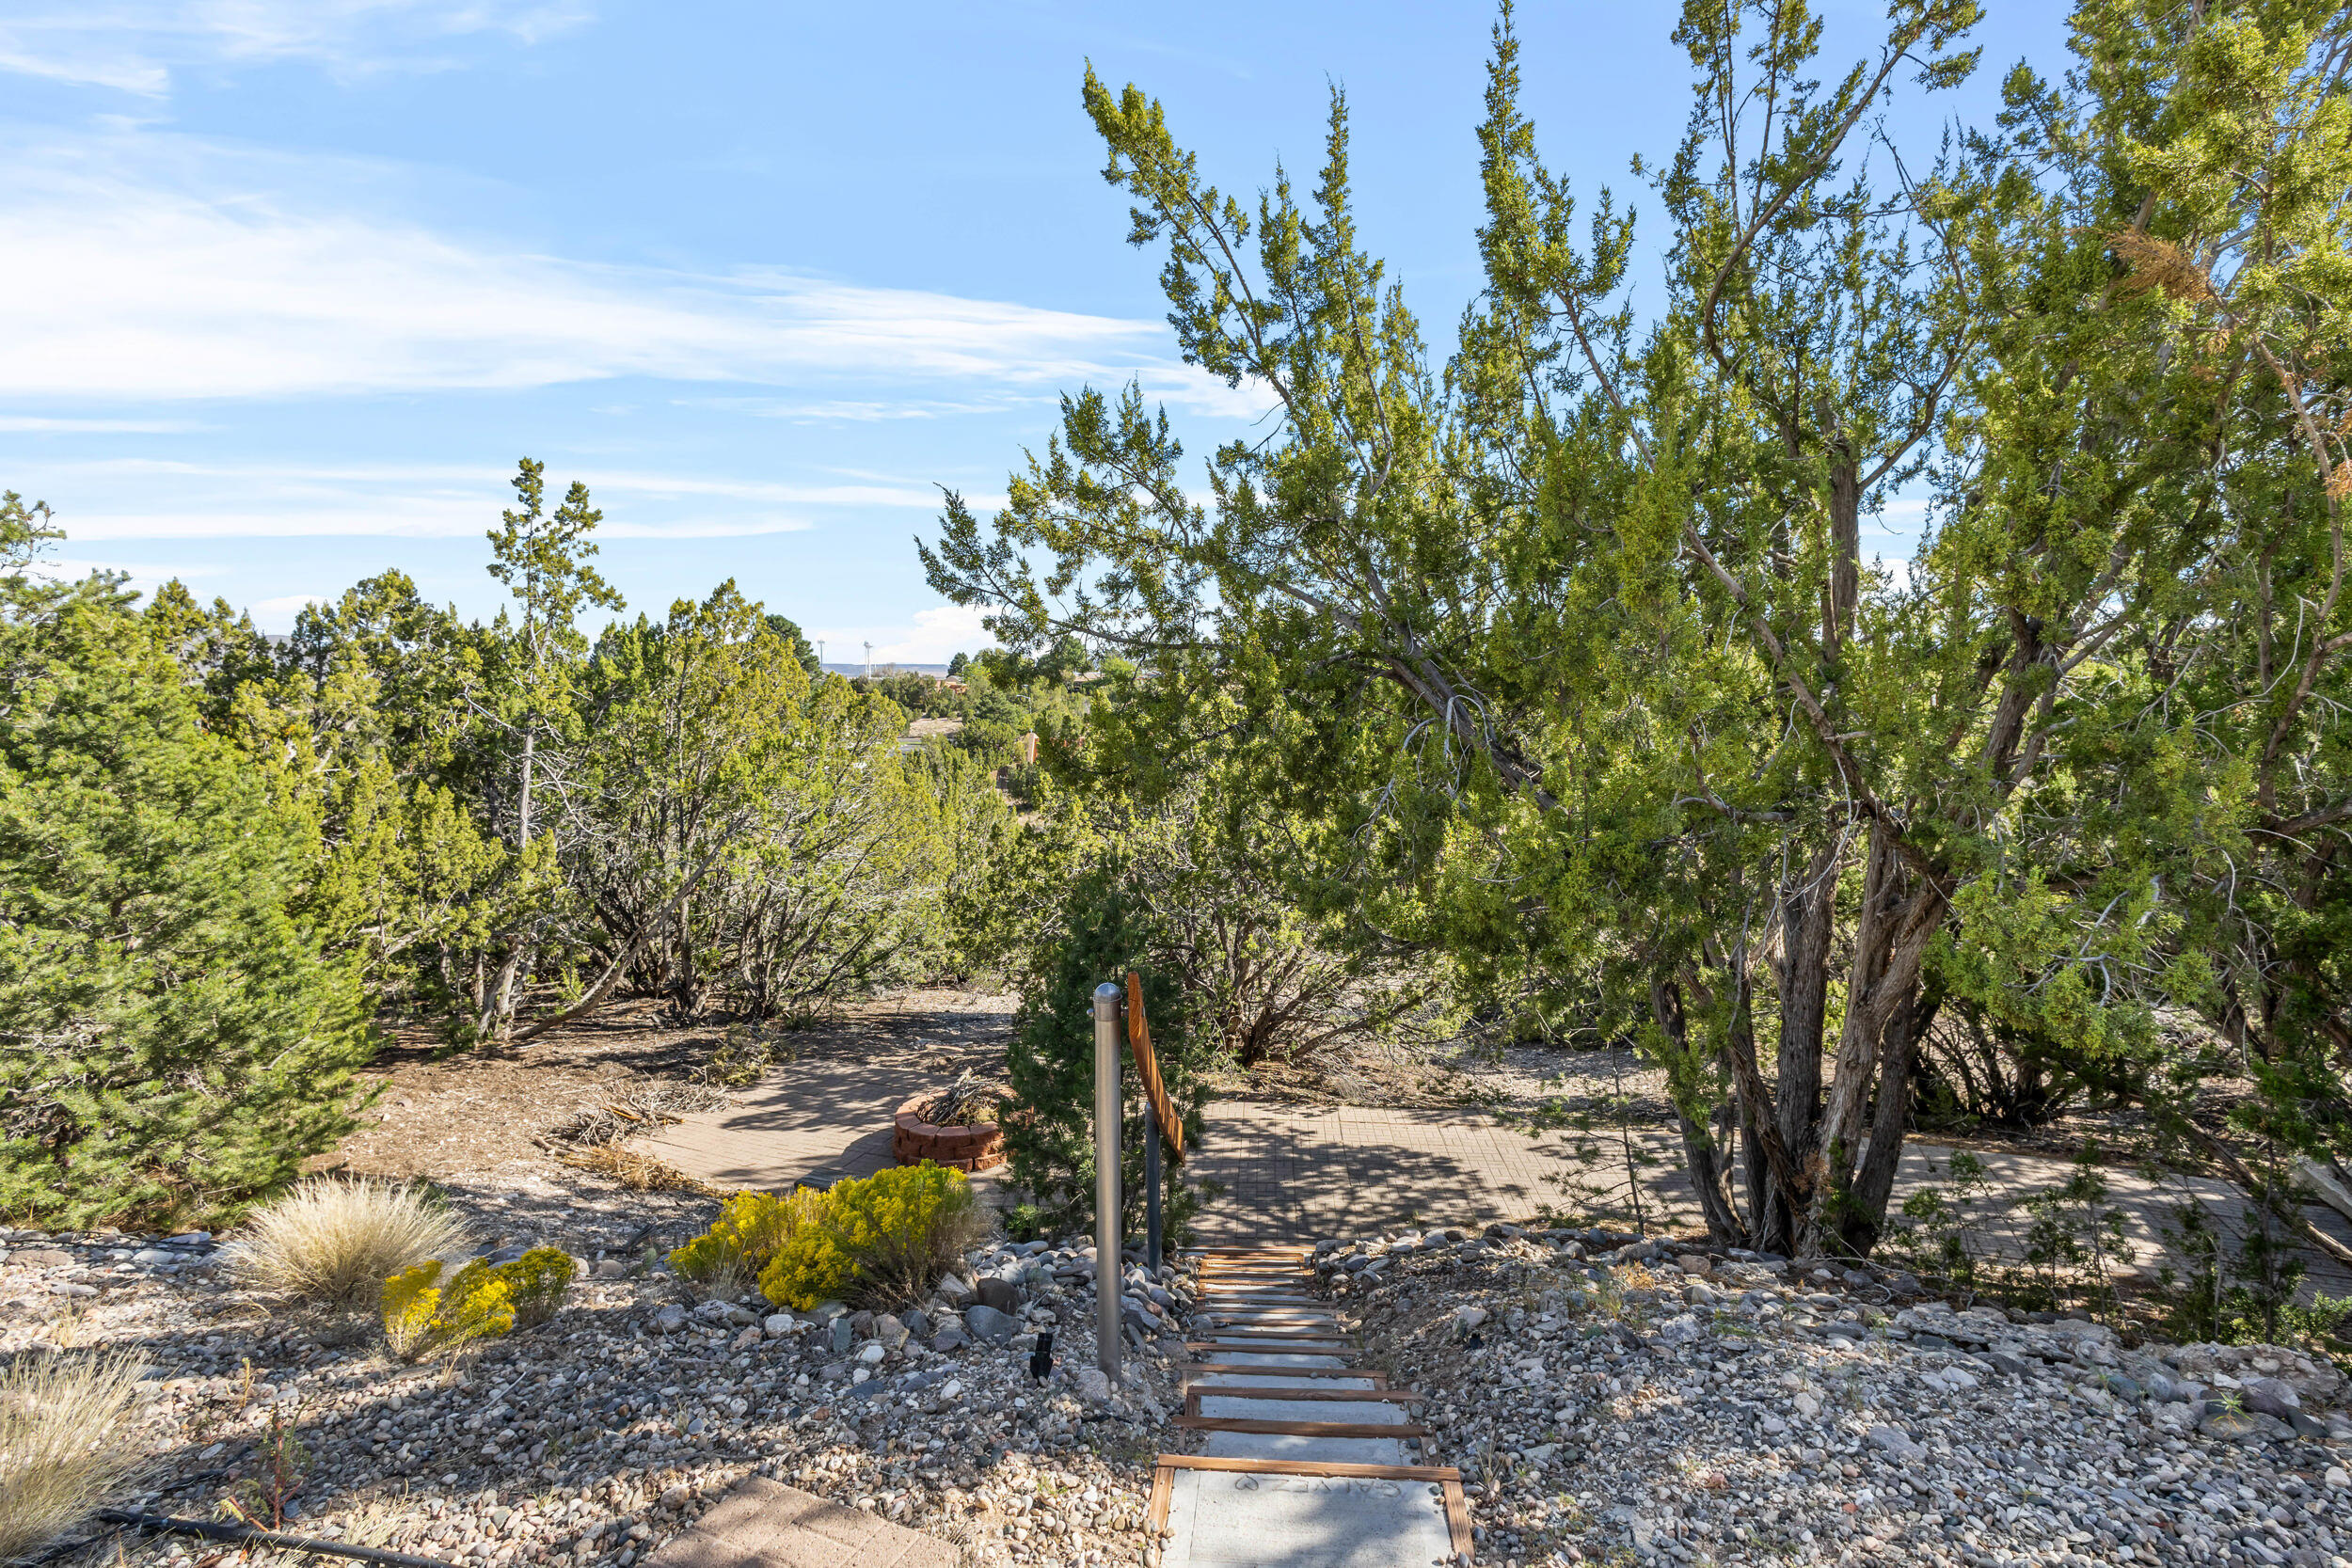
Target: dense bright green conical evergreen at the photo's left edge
x,y
180,1043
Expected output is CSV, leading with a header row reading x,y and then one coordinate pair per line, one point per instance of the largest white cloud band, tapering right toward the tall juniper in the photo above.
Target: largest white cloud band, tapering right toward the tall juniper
x,y
152,269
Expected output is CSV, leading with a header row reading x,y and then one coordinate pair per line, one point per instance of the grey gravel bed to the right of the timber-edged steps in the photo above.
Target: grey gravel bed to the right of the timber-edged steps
x,y
1666,1405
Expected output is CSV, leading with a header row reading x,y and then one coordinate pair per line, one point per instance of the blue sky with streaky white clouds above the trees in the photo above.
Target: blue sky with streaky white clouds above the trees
x,y
290,286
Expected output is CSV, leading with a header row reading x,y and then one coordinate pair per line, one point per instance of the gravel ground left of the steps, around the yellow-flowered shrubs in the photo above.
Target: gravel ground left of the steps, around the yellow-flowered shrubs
x,y
615,1426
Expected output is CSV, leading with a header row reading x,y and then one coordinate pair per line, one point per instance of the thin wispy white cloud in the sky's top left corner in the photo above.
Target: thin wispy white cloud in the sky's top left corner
x,y
135,46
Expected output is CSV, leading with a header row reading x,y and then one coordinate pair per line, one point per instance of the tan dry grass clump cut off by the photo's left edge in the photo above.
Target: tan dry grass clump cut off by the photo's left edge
x,y
65,1445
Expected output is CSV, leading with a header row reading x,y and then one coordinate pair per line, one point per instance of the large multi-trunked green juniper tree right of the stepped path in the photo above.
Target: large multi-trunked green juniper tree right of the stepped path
x,y
1579,674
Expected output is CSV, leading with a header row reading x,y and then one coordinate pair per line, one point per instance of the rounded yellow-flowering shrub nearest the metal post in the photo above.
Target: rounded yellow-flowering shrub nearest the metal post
x,y
883,1240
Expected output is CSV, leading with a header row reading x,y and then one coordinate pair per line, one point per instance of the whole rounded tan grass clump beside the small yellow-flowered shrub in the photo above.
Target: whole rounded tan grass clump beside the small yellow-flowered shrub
x,y
338,1242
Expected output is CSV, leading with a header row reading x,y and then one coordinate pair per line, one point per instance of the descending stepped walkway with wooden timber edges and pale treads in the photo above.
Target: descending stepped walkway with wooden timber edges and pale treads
x,y
1304,1456
